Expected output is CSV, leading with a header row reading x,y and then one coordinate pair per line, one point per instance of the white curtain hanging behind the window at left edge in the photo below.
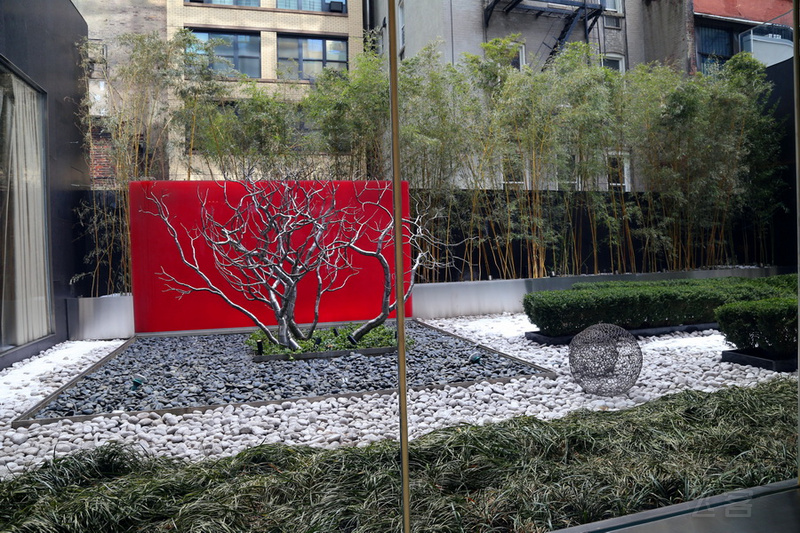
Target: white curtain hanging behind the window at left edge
x,y
26,302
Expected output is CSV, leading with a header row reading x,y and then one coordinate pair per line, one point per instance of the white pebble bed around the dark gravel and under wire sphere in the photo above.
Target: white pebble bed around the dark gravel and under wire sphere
x,y
672,363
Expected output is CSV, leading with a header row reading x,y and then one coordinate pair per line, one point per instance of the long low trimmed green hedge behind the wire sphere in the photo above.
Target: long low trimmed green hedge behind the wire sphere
x,y
643,304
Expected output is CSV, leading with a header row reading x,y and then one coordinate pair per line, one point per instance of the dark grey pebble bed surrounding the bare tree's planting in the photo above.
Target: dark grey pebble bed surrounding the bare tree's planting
x,y
204,370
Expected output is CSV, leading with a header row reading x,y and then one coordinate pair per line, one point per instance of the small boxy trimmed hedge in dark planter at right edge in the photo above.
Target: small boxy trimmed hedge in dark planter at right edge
x,y
767,324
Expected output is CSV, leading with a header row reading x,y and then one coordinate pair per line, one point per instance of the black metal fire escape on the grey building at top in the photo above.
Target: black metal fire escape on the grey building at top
x,y
571,11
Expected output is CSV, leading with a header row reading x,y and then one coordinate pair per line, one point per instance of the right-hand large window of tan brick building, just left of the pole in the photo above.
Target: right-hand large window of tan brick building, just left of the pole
x,y
304,58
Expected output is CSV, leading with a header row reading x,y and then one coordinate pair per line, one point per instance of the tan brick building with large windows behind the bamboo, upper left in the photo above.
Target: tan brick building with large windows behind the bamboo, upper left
x,y
285,42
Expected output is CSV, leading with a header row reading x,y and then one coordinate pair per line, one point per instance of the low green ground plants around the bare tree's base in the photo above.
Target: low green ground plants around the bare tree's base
x,y
327,340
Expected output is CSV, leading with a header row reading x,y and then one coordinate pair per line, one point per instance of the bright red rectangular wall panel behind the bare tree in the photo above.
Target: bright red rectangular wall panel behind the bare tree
x,y
158,309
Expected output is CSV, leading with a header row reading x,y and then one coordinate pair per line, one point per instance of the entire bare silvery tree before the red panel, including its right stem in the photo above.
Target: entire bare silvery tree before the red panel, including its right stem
x,y
267,237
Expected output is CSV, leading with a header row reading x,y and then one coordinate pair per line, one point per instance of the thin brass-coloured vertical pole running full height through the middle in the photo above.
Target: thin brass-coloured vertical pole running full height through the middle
x,y
399,267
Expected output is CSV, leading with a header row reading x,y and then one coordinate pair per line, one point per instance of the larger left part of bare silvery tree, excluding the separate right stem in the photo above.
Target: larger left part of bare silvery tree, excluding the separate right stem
x,y
265,239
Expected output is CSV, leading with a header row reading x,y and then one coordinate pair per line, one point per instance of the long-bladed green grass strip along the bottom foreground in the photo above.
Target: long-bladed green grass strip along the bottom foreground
x,y
523,475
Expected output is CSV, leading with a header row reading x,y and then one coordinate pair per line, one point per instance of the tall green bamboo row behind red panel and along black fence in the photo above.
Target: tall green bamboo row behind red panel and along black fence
x,y
572,169
